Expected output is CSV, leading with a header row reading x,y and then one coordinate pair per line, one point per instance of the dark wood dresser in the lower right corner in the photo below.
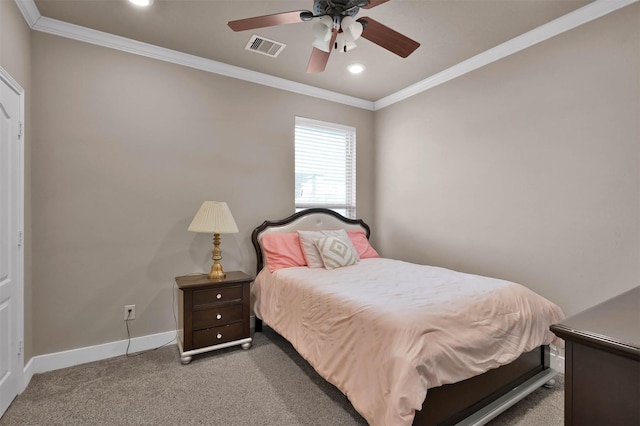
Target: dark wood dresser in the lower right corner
x,y
602,364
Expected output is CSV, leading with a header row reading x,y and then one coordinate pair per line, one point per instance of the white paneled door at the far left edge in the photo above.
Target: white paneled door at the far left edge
x,y
11,254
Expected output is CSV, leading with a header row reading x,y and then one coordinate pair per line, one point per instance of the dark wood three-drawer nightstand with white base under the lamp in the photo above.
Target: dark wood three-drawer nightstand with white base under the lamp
x,y
212,314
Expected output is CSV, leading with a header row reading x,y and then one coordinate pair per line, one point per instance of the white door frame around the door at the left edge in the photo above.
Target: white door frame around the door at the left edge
x,y
18,211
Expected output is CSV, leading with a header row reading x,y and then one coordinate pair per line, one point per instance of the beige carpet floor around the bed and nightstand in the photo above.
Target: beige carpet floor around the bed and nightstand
x,y
267,385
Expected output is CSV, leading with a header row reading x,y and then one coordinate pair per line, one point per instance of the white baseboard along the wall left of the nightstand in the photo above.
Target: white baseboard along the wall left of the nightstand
x,y
57,360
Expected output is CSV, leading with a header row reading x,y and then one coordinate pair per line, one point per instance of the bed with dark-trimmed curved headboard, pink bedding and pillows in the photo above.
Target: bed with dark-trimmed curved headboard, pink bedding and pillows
x,y
406,343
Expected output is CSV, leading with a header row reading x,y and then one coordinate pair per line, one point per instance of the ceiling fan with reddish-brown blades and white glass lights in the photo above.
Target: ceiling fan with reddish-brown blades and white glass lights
x,y
336,28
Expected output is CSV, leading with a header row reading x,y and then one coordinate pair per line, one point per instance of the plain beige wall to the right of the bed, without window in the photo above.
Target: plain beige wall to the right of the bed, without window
x,y
527,169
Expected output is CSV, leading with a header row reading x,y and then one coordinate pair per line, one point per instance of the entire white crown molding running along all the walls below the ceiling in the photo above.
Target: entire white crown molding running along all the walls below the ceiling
x,y
585,14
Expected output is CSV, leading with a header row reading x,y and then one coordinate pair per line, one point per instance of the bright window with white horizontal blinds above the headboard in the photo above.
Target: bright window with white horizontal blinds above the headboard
x,y
325,166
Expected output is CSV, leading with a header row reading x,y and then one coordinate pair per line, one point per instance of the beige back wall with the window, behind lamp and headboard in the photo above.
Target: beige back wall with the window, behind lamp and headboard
x,y
125,150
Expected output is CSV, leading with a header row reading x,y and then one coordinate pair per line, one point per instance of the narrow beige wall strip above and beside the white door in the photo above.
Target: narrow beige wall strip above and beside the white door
x,y
15,58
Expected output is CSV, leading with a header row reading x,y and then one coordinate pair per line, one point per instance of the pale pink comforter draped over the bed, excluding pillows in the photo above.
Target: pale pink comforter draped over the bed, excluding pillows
x,y
384,331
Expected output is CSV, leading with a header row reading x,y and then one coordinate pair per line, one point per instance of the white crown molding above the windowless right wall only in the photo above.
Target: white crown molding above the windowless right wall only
x,y
560,25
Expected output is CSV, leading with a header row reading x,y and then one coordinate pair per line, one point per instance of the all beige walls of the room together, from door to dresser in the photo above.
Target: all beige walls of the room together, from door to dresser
x,y
526,169
